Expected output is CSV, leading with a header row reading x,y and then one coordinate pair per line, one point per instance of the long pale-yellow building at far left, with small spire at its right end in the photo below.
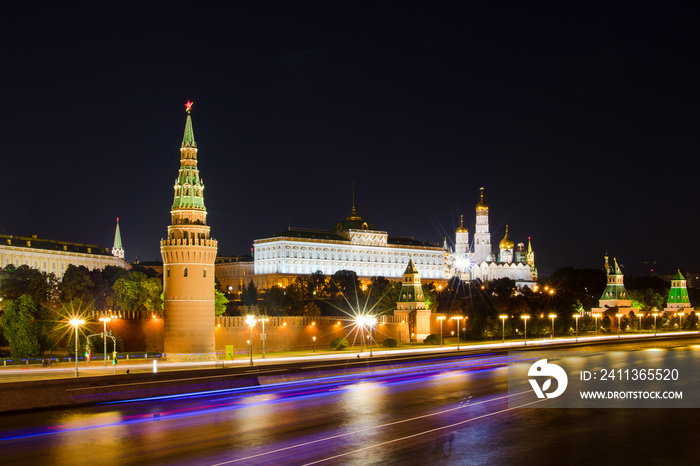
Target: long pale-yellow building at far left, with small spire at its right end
x,y
54,257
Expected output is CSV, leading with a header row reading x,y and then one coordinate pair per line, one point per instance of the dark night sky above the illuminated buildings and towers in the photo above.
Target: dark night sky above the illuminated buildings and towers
x,y
581,123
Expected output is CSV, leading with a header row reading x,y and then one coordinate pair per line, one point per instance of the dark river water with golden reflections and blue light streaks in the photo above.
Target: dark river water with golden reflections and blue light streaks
x,y
446,416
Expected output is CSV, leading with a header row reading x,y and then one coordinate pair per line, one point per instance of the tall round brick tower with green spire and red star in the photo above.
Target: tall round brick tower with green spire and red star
x,y
188,263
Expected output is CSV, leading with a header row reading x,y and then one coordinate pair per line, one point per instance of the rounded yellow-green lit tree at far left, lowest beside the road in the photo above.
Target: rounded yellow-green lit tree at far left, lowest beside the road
x,y
26,325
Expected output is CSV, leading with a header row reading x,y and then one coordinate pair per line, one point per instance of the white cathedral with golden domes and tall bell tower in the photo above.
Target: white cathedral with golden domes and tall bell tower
x,y
481,263
